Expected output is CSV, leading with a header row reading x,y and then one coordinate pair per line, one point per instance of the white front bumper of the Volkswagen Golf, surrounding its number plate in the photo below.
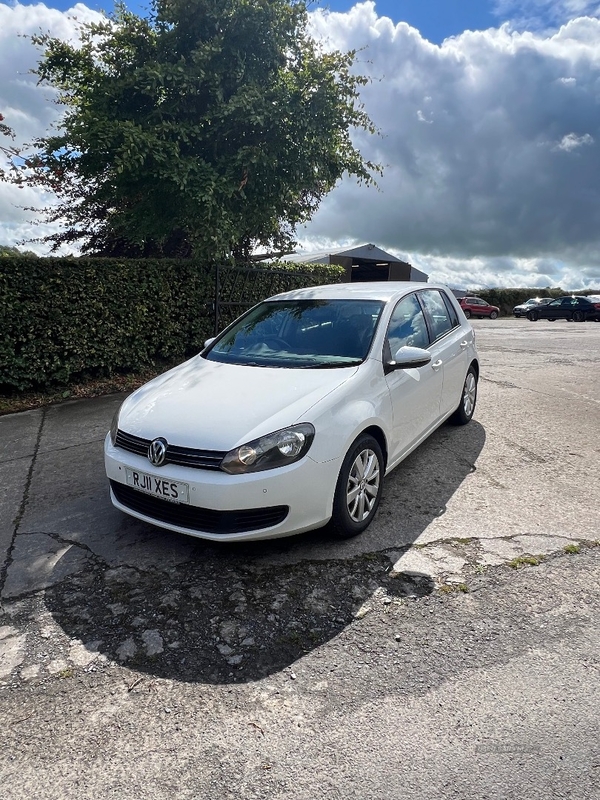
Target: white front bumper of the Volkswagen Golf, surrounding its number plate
x,y
223,507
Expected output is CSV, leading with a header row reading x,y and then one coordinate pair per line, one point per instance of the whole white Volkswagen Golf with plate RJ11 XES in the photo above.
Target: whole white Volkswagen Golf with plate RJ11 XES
x,y
291,417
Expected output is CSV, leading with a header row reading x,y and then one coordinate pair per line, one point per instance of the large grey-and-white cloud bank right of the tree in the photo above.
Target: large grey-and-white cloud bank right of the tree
x,y
490,143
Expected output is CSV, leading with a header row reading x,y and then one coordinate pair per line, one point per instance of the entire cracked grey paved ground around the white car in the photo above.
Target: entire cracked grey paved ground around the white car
x,y
450,651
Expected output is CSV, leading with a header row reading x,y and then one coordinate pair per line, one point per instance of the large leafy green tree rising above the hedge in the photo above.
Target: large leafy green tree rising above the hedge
x,y
208,128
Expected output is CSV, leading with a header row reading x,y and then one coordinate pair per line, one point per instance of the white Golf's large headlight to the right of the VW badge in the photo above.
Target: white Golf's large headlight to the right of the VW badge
x,y
268,452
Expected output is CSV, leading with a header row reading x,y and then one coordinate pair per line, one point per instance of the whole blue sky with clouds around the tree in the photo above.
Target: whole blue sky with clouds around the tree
x,y
489,133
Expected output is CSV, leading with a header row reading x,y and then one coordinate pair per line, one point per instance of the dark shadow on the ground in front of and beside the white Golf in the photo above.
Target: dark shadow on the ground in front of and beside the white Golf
x,y
226,614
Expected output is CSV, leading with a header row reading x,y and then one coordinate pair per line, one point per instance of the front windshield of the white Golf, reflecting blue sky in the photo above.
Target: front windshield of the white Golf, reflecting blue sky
x,y
300,334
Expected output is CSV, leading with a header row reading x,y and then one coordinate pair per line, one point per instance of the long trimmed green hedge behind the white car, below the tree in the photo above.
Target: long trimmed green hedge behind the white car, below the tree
x,y
66,318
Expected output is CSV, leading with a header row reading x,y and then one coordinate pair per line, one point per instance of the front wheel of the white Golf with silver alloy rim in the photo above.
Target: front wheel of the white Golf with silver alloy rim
x,y
359,487
